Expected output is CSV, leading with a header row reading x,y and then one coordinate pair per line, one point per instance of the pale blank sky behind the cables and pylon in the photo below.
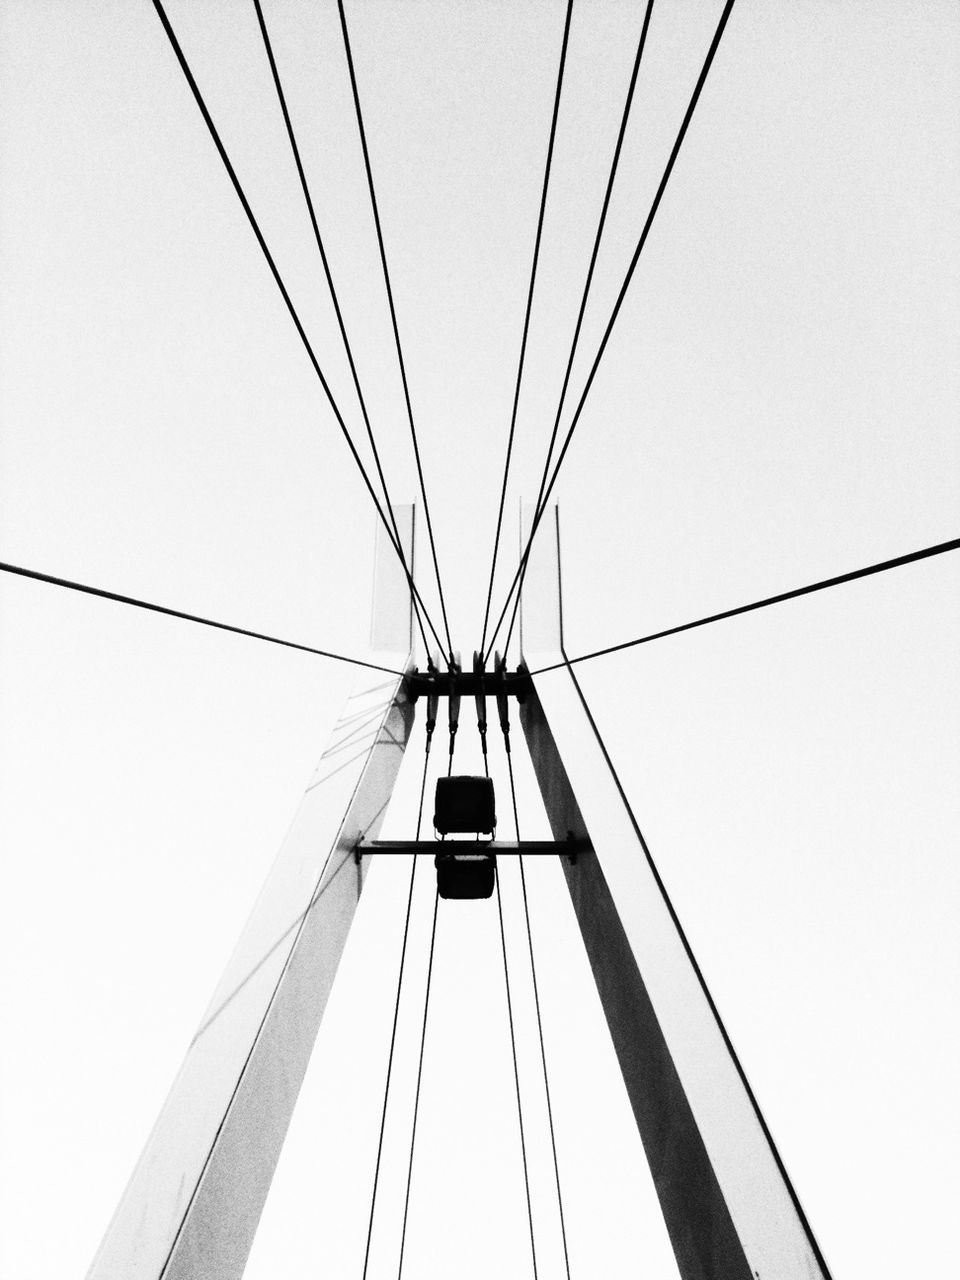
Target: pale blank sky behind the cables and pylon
x,y
778,405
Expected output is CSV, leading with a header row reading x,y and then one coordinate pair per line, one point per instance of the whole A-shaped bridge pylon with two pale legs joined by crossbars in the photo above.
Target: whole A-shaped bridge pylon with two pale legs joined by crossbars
x,y
195,1199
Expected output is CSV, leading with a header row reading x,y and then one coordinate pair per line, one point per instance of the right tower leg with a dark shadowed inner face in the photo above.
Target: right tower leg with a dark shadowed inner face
x,y
728,1203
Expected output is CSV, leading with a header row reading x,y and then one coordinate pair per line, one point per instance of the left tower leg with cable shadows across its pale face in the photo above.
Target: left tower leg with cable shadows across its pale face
x,y
195,1199
